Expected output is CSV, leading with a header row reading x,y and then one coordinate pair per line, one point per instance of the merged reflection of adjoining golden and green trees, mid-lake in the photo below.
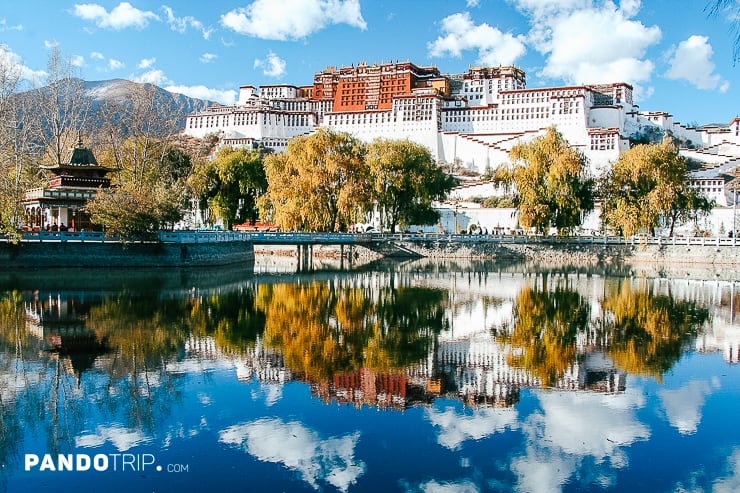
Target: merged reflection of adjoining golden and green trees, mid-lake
x,y
325,329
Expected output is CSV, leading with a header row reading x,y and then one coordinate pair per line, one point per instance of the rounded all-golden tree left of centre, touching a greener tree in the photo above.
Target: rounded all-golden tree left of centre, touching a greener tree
x,y
320,183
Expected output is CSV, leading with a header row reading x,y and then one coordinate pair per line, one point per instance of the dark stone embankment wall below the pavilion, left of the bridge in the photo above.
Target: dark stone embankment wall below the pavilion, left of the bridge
x,y
78,254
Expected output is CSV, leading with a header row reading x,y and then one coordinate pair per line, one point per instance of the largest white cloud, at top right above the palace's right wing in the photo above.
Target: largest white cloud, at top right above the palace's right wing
x,y
571,34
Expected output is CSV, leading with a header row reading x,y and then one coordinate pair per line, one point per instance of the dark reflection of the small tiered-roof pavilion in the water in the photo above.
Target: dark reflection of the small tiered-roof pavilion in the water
x,y
60,321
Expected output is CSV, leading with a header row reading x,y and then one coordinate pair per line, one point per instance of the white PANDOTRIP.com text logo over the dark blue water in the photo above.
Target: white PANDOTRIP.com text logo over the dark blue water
x,y
99,462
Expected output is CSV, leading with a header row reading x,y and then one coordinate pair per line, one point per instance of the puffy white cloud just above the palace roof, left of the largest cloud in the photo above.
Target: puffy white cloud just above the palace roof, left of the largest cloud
x,y
493,46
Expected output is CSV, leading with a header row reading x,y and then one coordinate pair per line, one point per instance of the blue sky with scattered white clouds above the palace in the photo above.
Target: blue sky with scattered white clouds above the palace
x,y
677,57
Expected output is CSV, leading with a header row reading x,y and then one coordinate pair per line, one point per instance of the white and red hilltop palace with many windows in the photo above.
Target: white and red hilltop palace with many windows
x,y
469,120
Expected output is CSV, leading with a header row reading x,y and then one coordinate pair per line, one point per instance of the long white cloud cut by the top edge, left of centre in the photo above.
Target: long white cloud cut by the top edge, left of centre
x,y
292,19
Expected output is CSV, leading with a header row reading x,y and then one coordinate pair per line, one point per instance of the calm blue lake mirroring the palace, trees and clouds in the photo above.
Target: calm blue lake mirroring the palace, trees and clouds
x,y
419,376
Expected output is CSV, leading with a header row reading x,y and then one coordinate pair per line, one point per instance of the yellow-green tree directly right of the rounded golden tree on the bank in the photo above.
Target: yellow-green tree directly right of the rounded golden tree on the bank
x,y
406,181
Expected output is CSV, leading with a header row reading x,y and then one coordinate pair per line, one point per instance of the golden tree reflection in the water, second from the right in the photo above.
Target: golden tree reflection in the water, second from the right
x,y
546,324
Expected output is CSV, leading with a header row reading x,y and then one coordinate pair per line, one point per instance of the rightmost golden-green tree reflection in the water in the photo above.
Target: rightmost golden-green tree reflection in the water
x,y
648,332
